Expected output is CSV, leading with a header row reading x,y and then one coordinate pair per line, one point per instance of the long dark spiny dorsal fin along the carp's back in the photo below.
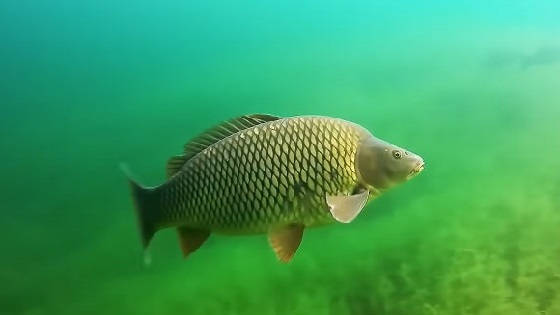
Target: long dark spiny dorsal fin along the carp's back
x,y
214,135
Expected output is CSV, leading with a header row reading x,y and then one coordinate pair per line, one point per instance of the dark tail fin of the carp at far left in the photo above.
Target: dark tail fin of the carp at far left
x,y
146,206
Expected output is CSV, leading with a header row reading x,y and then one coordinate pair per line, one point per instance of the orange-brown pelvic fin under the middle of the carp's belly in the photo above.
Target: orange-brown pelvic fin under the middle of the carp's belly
x,y
285,241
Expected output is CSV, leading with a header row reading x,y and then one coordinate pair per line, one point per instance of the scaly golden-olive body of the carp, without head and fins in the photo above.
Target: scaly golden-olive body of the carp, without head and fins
x,y
269,175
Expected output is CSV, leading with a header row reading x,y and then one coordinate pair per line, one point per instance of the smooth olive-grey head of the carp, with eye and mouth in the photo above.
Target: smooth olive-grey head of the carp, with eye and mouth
x,y
382,165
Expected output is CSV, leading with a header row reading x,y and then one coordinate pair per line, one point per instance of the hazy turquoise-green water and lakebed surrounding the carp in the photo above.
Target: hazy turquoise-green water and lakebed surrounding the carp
x,y
471,86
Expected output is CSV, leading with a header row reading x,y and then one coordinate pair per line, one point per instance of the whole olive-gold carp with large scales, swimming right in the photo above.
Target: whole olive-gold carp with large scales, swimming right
x,y
263,174
